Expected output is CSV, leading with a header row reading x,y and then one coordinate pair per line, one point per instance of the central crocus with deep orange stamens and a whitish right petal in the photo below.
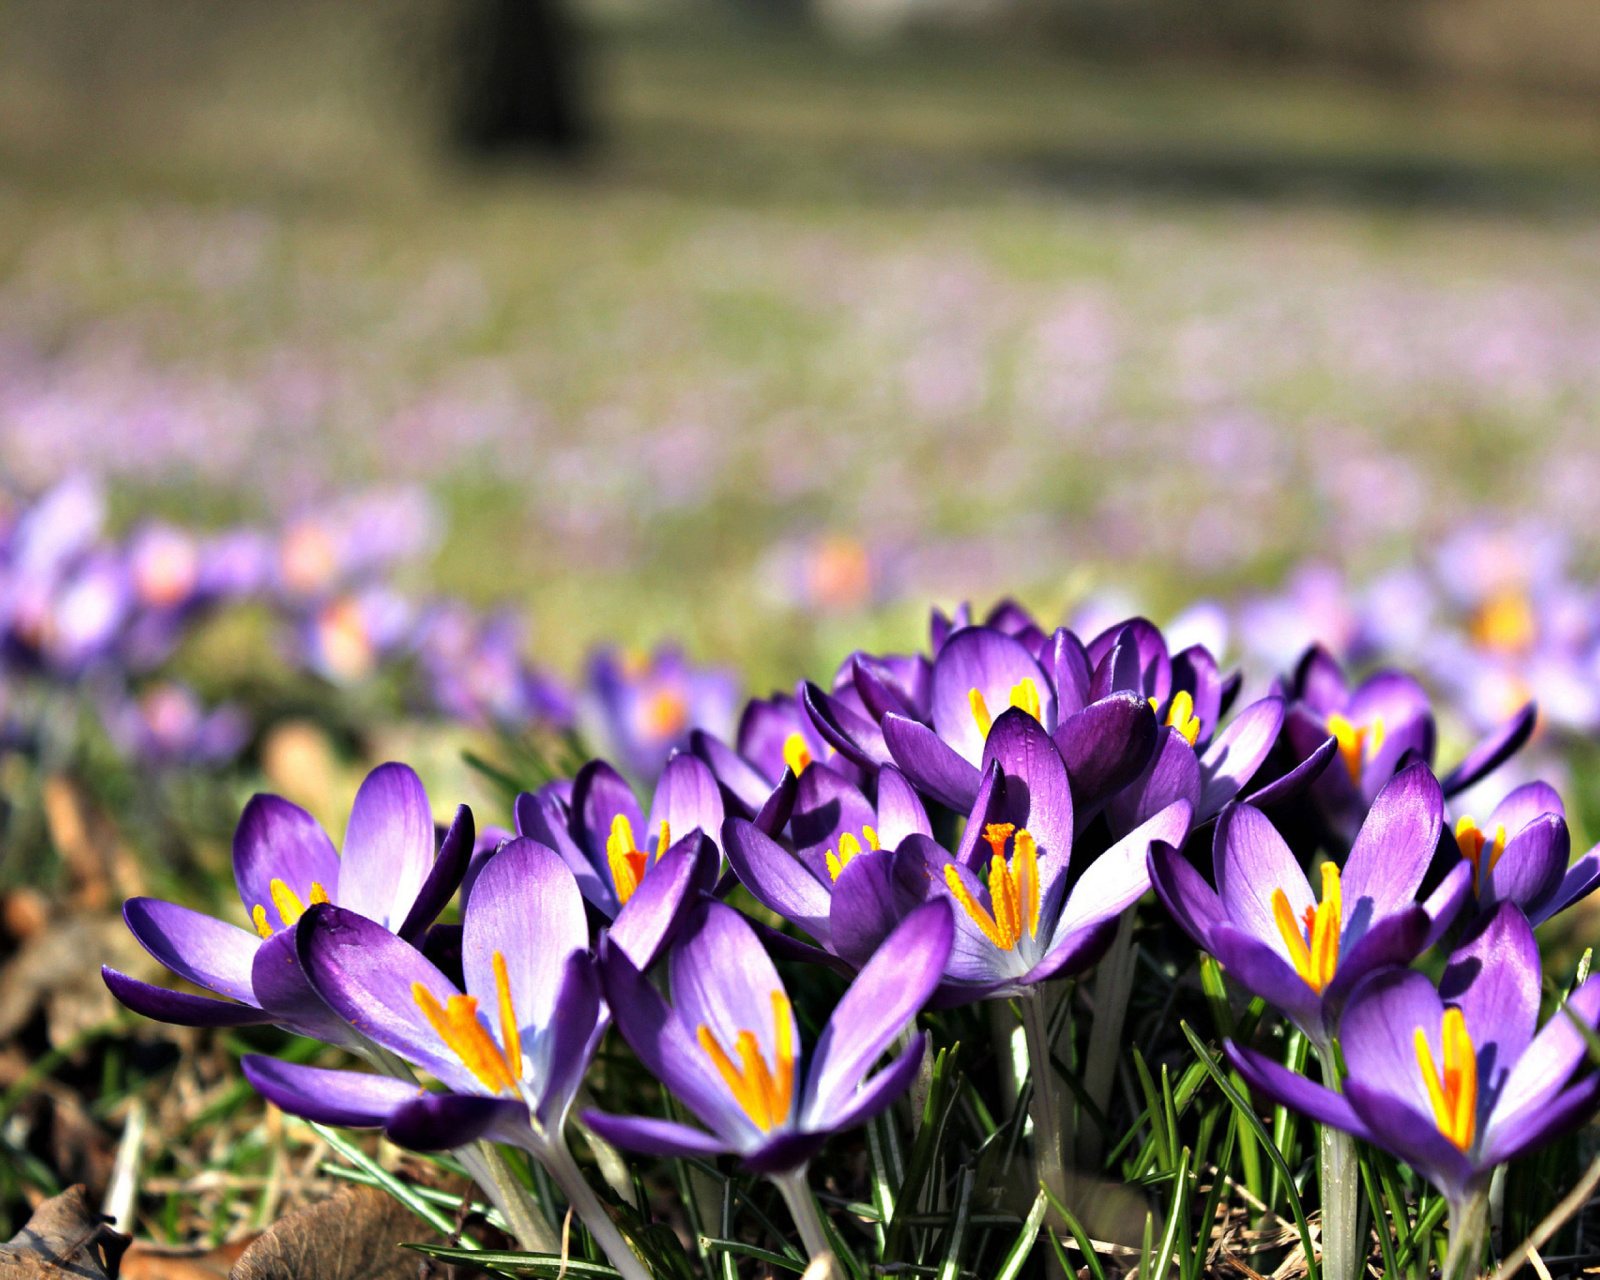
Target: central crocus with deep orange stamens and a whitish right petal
x,y
1023,926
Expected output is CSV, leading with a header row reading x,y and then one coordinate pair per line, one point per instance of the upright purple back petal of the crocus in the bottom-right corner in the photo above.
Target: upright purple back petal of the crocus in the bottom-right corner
x,y
1495,980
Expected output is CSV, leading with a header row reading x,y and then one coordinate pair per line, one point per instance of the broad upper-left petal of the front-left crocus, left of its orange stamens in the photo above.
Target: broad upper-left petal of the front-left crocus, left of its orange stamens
x,y
367,977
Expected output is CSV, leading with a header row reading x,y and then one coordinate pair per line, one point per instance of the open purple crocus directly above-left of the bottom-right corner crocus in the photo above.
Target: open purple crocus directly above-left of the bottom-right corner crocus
x,y
1270,930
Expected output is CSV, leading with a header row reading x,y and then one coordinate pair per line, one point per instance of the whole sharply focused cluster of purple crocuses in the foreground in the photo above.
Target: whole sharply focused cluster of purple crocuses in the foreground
x,y
942,828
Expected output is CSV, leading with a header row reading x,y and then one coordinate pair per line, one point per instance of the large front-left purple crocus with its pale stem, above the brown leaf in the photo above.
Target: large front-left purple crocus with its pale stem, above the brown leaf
x,y
511,1050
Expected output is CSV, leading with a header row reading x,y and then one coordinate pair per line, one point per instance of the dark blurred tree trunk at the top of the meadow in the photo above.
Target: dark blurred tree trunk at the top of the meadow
x,y
522,86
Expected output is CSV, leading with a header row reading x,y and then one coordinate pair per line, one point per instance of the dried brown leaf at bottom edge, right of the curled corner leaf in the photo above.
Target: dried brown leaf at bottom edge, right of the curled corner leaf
x,y
354,1236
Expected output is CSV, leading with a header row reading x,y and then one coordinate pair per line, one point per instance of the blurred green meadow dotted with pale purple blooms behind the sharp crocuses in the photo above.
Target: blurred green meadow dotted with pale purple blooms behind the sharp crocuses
x,y
818,334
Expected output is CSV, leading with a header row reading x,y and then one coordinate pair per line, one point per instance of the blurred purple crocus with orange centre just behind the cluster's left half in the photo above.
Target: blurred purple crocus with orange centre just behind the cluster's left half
x,y
646,705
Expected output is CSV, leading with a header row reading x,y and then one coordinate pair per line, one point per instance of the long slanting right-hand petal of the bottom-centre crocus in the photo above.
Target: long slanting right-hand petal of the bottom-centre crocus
x,y
886,996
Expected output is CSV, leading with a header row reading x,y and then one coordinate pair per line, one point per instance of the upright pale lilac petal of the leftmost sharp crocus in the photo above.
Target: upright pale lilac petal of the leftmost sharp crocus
x,y
388,847
